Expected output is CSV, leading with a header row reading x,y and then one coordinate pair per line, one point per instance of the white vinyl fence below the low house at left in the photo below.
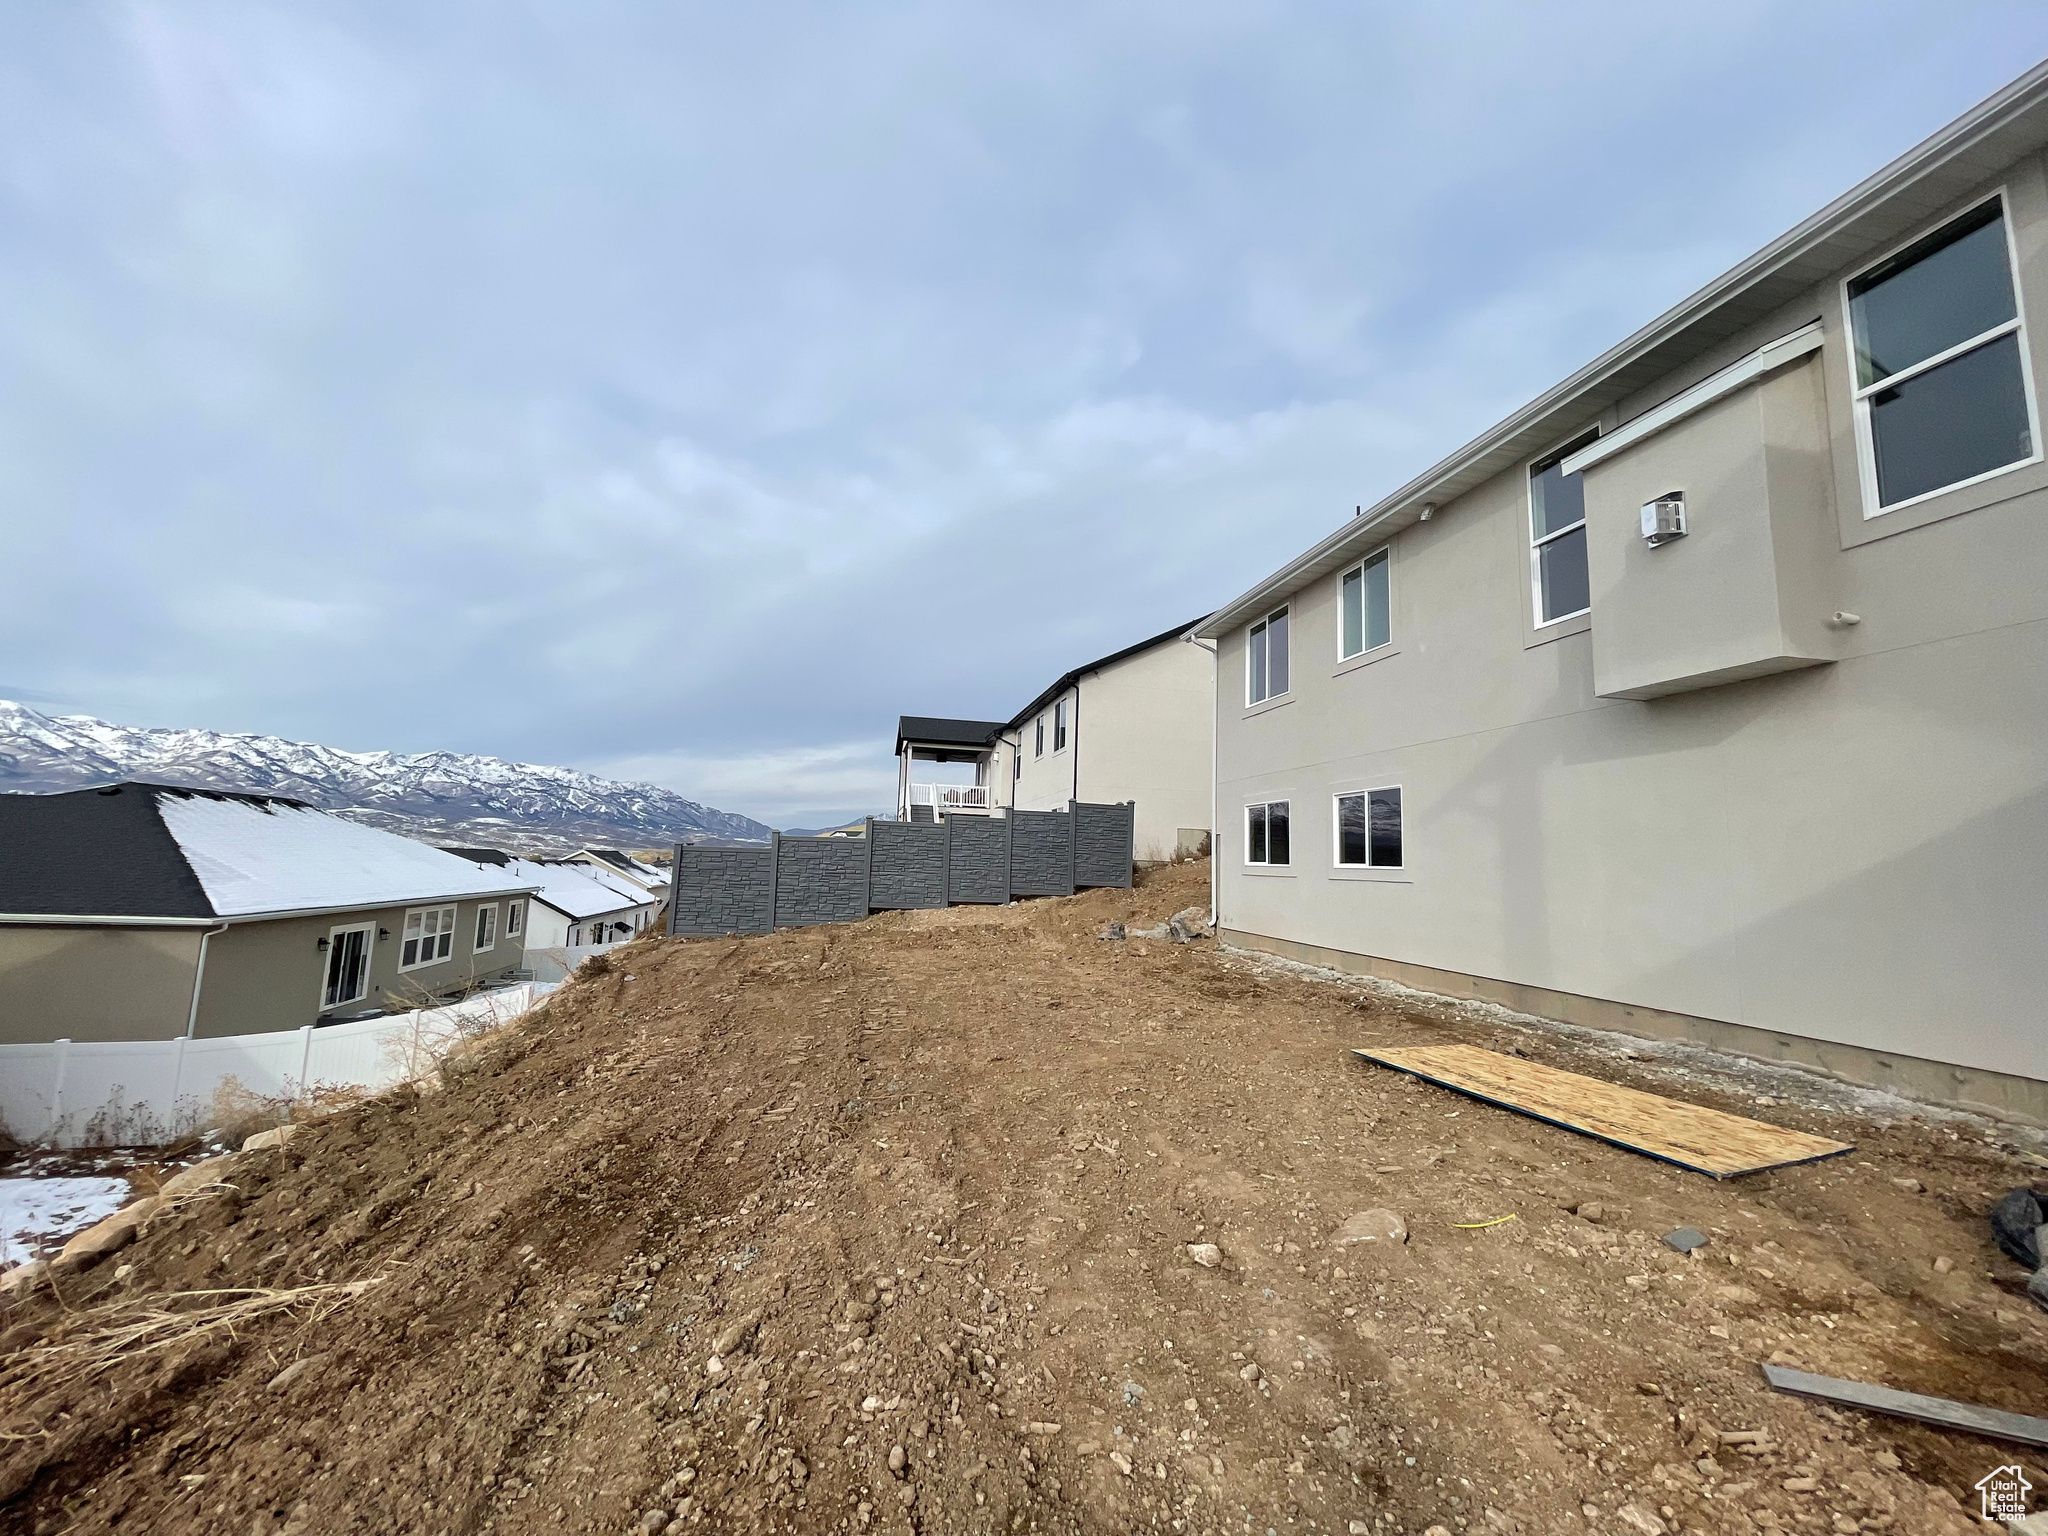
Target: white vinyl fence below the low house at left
x,y
151,1093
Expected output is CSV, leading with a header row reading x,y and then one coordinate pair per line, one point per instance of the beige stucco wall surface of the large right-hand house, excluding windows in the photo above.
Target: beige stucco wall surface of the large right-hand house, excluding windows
x,y
1846,853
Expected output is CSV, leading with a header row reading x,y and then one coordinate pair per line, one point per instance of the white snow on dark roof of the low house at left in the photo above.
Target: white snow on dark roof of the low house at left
x,y
273,857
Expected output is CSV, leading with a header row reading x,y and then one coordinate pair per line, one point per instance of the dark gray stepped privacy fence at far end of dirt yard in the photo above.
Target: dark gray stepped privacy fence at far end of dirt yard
x,y
953,861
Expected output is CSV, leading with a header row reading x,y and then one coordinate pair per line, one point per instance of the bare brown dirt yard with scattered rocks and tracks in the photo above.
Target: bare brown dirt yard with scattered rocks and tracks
x,y
888,1230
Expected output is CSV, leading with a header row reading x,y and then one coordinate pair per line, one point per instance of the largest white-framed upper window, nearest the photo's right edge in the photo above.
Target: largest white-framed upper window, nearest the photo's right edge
x,y
1945,396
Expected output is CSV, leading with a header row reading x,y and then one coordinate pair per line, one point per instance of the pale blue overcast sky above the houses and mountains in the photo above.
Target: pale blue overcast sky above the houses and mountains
x,y
683,392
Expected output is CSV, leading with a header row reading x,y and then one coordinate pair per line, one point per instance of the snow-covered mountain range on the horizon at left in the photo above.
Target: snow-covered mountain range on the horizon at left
x,y
429,796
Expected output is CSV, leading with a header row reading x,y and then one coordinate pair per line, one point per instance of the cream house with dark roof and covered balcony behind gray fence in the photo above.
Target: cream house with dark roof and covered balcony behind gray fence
x,y
1132,726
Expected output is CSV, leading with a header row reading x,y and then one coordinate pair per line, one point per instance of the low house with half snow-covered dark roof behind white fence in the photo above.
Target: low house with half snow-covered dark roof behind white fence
x,y
146,912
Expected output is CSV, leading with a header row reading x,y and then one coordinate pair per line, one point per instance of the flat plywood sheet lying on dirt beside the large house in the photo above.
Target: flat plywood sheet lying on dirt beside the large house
x,y
1689,1136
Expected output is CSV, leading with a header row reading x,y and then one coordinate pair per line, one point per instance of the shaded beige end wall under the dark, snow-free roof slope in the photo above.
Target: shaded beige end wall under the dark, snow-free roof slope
x,y
95,984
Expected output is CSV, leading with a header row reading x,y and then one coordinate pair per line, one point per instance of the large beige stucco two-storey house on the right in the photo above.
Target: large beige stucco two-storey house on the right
x,y
1777,783
